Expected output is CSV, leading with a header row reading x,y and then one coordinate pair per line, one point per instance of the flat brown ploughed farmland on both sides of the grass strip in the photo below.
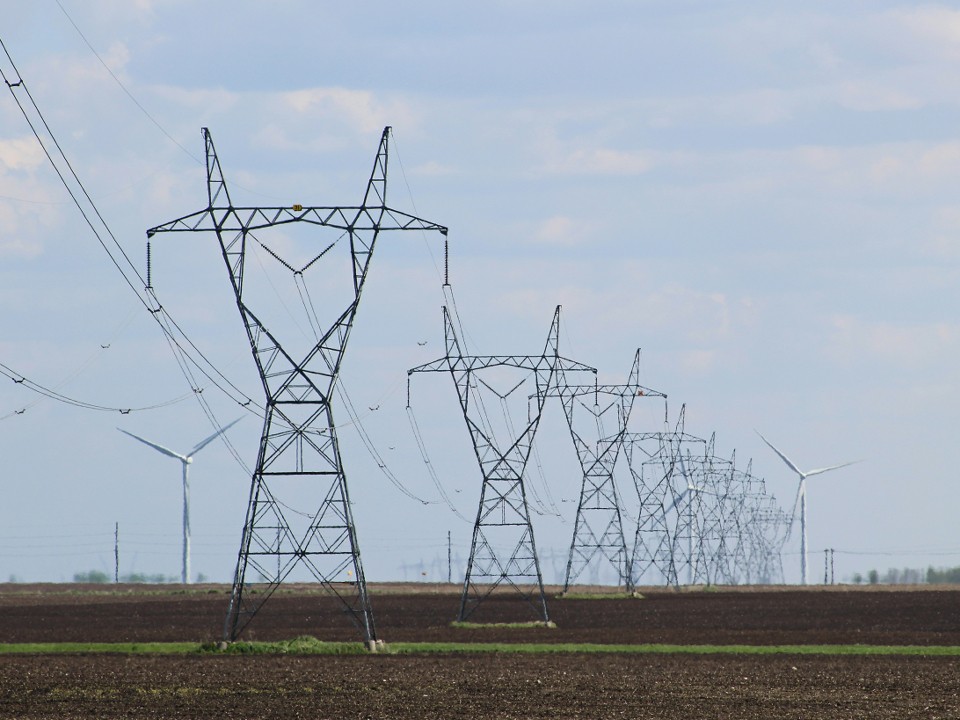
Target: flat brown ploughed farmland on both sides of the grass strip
x,y
475,685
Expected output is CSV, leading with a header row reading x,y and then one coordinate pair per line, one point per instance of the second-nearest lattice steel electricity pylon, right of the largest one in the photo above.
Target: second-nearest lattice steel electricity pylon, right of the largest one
x,y
503,550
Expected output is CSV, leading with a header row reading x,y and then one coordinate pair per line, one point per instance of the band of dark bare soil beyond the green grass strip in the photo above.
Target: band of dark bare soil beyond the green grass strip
x,y
759,617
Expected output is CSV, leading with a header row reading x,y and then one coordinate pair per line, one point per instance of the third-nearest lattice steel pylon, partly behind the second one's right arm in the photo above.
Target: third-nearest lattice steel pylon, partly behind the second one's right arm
x,y
598,528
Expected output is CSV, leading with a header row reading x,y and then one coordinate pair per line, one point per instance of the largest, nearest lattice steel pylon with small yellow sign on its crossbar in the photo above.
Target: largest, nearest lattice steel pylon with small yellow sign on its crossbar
x,y
299,453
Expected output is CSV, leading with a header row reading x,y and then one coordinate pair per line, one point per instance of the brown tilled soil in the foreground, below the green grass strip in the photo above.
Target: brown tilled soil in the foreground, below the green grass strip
x,y
481,686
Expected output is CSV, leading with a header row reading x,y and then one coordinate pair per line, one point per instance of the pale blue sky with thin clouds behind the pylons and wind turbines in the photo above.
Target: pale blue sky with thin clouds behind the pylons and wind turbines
x,y
760,196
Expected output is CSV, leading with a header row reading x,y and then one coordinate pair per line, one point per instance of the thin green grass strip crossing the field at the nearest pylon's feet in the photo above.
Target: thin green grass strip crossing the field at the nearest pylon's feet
x,y
311,646
